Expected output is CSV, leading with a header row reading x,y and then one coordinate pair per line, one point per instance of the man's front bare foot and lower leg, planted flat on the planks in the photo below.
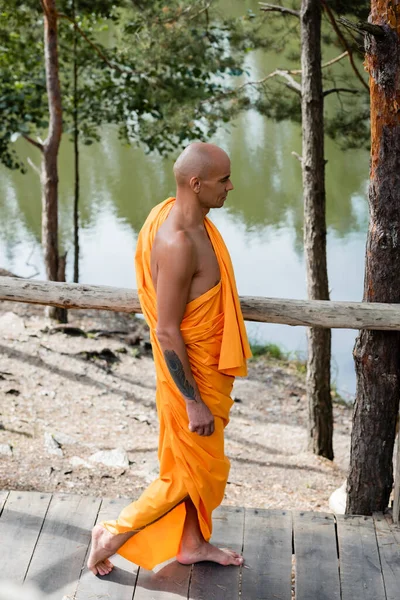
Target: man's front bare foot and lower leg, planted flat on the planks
x,y
194,548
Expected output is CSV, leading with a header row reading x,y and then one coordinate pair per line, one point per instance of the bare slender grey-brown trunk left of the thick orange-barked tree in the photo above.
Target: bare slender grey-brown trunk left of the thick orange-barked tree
x,y
313,167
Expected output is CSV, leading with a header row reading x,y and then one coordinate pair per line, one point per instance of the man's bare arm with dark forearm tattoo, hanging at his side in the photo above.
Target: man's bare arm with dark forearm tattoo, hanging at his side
x,y
176,263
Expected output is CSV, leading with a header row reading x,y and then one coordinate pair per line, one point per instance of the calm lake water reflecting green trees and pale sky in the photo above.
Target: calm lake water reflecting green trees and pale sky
x,y
261,221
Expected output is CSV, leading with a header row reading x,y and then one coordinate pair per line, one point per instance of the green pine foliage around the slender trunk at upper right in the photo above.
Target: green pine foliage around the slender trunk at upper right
x,y
346,114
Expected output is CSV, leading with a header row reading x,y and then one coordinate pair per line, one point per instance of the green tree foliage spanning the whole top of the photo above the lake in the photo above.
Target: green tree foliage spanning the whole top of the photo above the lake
x,y
163,73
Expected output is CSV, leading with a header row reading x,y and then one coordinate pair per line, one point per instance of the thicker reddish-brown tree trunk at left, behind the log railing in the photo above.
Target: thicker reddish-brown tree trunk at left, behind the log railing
x,y
49,172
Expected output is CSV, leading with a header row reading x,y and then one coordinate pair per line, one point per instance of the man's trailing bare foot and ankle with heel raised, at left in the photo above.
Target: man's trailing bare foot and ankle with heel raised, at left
x,y
104,545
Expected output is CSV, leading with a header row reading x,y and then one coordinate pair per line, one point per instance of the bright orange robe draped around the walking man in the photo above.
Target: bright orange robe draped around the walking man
x,y
190,465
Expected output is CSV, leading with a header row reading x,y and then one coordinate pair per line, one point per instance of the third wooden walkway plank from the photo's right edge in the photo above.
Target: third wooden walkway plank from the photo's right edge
x,y
317,573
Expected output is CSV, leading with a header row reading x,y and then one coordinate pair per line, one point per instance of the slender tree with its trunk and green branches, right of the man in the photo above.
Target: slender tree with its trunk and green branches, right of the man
x,y
305,101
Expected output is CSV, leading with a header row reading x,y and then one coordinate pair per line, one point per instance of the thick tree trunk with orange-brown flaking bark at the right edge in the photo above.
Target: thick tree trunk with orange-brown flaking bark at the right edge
x,y
377,354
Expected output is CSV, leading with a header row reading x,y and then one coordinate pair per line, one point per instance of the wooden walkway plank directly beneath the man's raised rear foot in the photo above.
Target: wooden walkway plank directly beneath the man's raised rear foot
x,y
120,583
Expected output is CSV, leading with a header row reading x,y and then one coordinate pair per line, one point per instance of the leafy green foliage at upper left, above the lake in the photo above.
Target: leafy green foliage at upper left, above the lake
x,y
153,78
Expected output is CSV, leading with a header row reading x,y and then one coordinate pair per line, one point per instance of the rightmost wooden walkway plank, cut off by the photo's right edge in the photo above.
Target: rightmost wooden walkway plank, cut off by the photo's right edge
x,y
389,553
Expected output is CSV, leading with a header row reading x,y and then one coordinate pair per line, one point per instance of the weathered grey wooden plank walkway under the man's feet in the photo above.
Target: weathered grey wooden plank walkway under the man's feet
x,y
45,538
